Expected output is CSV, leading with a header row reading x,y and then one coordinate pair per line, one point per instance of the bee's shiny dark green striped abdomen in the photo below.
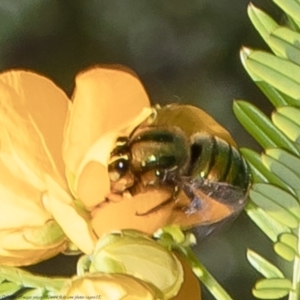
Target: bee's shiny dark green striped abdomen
x,y
215,159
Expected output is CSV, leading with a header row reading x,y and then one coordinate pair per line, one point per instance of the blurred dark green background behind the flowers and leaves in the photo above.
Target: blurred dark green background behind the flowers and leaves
x,y
184,52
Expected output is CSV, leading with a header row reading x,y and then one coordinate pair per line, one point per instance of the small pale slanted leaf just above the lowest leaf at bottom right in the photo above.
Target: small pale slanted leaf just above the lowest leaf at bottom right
x,y
263,266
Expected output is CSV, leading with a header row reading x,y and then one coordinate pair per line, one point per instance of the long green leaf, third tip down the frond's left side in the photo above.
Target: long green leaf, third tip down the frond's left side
x,y
261,127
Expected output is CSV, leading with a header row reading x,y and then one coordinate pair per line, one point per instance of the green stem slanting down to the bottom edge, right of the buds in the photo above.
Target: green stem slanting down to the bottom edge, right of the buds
x,y
204,276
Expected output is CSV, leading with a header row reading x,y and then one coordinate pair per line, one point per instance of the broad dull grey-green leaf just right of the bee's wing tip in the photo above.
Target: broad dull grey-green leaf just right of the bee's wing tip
x,y
276,211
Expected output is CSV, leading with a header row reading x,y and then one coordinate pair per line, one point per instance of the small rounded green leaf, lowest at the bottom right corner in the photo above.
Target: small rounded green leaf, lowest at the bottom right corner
x,y
272,288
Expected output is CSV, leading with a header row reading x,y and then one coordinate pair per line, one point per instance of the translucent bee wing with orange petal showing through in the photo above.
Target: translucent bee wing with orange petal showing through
x,y
205,205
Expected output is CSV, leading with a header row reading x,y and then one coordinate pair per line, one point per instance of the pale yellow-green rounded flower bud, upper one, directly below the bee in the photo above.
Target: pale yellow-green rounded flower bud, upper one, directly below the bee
x,y
133,253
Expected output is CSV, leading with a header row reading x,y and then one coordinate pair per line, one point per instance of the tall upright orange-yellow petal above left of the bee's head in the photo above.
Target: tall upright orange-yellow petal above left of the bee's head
x,y
104,99
